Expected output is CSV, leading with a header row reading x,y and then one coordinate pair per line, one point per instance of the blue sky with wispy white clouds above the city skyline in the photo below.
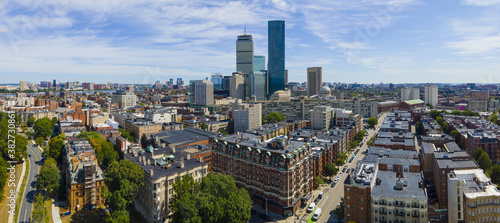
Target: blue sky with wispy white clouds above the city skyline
x,y
137,41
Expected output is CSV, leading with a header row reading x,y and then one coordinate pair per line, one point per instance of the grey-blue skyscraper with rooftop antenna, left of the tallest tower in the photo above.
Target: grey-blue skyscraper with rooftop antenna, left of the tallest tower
x,y
244,54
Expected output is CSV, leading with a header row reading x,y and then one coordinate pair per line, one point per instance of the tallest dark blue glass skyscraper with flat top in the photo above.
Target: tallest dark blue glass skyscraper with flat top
x,y
276,51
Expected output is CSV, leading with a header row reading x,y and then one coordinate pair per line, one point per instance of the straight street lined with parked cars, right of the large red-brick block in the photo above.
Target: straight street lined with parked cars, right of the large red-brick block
x,y
333,195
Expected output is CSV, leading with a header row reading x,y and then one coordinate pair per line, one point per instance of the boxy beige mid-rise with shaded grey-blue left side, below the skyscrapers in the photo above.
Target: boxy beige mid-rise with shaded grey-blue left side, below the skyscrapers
x,y
246,116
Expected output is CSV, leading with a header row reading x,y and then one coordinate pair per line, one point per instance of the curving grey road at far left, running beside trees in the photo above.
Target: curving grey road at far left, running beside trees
x,y
35,159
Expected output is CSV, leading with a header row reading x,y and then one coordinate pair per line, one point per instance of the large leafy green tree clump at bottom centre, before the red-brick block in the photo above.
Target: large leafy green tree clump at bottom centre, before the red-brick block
x,y
215,199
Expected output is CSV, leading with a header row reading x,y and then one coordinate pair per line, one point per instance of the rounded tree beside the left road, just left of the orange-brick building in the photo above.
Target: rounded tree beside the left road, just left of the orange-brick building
x,y
49,178
